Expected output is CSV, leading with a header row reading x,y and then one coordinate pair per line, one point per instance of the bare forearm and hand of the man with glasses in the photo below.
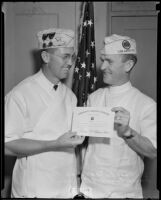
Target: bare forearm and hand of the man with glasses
x,y
26,147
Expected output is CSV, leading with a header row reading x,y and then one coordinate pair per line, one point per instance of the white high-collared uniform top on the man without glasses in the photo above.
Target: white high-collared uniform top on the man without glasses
x,y
111,168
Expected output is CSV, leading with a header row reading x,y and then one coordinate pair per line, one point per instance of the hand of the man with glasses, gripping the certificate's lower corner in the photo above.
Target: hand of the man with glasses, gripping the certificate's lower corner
x,y
69,139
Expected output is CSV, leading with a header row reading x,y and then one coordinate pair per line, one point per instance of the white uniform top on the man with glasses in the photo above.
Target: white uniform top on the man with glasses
x,y
34,110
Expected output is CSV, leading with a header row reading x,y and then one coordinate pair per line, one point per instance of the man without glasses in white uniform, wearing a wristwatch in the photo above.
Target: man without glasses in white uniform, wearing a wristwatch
x,y
113,167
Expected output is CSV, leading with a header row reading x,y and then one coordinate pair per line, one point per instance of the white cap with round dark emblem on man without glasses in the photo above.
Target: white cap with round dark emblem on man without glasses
x,y
117,44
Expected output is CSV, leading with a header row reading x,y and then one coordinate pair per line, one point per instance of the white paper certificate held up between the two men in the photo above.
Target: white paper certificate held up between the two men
x,y
93,121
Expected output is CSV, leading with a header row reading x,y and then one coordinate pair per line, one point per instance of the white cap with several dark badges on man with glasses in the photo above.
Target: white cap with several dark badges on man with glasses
x,y
54,38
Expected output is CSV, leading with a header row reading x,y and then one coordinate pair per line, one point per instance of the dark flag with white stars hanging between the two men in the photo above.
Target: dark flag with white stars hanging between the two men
x,y
85,77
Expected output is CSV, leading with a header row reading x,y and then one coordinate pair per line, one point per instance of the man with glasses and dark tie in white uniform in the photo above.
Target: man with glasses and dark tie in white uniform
x,y
38,114
